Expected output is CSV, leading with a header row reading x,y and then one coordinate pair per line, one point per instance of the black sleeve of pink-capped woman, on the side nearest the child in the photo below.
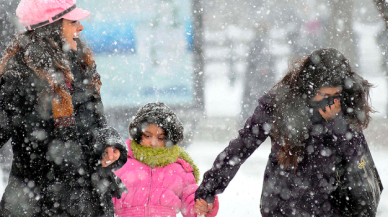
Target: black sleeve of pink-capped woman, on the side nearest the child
x,y
90,115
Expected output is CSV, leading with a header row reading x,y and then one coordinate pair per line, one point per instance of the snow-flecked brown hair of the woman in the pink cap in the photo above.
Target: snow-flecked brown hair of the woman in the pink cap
x,y
45,40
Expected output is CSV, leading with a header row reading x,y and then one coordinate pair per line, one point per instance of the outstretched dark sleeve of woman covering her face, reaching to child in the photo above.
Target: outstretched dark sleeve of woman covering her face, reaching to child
x,y
228,162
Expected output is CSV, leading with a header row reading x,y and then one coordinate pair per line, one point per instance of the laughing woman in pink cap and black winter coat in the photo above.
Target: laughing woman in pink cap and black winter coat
x,y
50,107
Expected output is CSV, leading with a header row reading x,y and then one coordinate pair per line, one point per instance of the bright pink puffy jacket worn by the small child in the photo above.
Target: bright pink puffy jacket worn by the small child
x,y
157,192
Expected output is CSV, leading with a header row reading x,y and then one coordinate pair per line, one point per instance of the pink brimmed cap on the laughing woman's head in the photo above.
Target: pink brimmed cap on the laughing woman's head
x,y
37,13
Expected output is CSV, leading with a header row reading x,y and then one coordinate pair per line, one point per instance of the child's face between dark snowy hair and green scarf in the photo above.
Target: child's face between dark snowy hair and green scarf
x,y
153,136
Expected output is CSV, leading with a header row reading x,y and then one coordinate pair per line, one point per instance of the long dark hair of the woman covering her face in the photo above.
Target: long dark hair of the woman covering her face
x,y
322,68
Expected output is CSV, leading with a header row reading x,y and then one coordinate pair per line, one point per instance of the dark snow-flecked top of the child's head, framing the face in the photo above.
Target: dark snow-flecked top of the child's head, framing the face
x,y
162,116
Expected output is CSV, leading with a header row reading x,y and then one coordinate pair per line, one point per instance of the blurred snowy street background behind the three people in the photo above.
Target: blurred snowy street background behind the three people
x,y
211,60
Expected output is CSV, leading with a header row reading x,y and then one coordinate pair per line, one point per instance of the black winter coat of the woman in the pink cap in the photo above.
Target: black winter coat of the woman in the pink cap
x,y
56,172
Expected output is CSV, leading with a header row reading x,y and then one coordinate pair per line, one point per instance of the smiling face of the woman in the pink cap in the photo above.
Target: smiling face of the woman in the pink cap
x,y
71,30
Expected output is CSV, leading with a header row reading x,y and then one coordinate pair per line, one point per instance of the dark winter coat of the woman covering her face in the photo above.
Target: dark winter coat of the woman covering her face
x,y
308,190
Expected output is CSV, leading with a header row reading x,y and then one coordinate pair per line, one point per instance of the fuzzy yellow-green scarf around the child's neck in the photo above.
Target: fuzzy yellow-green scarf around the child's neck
x,y
162,156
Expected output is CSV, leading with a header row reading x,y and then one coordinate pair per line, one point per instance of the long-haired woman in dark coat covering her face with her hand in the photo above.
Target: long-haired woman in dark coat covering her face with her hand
x,y
314,116
